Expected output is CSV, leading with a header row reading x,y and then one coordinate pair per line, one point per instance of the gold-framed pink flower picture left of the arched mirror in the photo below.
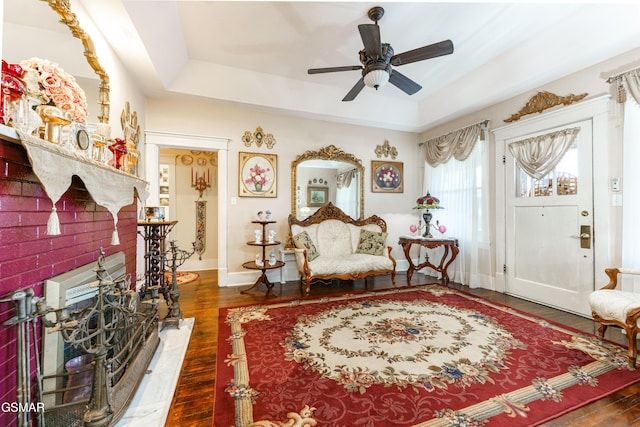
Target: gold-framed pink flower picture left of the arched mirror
x,y
258,175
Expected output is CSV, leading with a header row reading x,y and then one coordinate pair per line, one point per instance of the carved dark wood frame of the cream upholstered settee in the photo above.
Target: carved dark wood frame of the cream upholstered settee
x,y
330,211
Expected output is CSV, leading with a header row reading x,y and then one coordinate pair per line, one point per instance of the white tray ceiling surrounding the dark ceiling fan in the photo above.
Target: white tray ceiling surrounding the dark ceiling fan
x,y
256,53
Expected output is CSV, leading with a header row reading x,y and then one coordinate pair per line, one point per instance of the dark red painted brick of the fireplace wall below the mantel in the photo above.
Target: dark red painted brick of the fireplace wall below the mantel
x,y
28,255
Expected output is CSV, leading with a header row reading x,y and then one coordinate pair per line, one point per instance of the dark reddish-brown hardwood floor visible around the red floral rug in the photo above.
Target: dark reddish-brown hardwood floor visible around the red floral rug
x,y
193,399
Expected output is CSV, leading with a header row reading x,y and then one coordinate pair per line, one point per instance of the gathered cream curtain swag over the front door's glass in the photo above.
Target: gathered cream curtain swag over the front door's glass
x,y
539,155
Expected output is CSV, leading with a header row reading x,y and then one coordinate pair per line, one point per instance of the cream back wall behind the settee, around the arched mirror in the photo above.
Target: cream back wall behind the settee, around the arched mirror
x,y
293,137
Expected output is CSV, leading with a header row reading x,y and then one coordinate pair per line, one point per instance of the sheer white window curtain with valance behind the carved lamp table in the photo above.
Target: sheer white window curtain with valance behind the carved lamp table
x,y
463,189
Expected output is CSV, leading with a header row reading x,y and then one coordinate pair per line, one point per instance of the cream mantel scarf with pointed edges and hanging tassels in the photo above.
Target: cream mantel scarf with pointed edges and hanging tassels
x,y
55,165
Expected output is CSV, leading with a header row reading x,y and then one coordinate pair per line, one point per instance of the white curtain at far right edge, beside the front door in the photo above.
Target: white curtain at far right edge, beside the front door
x,y
630,177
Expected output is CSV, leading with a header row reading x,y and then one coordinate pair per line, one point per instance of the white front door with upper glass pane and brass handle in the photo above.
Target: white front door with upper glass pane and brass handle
x,y
545,247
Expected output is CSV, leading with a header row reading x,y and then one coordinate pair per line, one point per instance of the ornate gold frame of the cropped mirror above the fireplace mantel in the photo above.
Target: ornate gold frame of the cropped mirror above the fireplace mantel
x,y
67,17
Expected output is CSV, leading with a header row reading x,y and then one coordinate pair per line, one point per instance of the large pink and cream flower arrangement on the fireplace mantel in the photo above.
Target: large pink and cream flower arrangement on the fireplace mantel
x,y
50,84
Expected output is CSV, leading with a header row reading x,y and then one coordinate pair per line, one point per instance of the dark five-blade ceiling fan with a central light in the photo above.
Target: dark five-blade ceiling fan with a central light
x,y
378,58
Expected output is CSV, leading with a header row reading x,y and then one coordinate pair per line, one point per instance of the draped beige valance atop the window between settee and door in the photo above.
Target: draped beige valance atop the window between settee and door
x,y
457,144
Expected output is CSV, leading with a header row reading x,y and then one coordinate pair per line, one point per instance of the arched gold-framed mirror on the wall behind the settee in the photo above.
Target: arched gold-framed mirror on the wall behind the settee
x,y
327,175
